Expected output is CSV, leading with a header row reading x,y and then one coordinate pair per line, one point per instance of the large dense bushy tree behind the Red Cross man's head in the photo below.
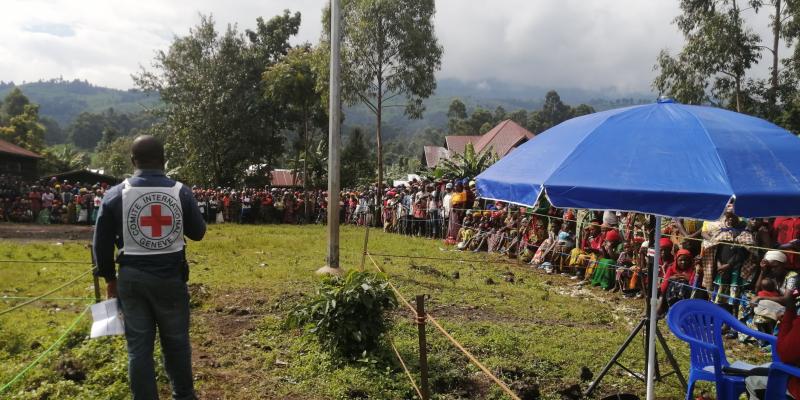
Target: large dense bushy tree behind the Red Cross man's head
x,y
216,120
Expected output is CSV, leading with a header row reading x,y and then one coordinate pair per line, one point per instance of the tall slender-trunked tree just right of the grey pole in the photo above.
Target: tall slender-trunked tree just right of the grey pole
x,y
389,50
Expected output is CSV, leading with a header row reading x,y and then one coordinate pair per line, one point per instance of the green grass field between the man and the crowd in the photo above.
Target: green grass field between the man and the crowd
x,y
535,333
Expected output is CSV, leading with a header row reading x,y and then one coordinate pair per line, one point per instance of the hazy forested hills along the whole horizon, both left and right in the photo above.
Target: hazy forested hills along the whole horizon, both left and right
x,y
64,100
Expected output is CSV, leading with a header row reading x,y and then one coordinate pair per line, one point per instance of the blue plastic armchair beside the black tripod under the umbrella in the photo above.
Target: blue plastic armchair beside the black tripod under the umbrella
x,y
699,323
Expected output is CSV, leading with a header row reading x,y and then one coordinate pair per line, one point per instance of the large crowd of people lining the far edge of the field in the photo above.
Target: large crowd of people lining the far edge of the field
x,y
748,267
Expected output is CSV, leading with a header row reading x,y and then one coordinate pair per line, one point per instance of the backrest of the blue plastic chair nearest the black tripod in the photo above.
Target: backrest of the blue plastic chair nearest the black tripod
x,y
701,321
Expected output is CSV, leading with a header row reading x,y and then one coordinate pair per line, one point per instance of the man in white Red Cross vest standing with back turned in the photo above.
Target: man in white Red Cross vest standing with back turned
x,y
146,218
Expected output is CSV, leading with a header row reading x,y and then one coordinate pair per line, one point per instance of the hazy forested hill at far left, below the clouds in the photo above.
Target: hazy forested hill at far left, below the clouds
x,y
64,100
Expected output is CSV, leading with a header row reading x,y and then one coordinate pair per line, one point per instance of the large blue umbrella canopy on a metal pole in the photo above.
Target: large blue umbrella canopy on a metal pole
x,y
664,158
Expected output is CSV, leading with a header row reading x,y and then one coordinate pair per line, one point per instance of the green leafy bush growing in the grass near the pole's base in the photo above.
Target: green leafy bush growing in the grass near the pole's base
x,y
348,314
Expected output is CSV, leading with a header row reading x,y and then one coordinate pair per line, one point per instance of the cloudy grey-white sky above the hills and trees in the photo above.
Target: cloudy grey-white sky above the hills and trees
x,y
587,44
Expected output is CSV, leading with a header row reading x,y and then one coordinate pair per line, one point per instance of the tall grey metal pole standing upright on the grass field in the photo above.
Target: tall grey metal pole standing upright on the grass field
x,y
334,143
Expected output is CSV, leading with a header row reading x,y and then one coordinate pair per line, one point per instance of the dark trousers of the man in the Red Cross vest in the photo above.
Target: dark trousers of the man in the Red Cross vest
x,y
147,302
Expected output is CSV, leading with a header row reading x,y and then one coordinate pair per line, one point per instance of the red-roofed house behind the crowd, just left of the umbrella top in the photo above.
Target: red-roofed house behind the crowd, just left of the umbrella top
x,y
501,140
